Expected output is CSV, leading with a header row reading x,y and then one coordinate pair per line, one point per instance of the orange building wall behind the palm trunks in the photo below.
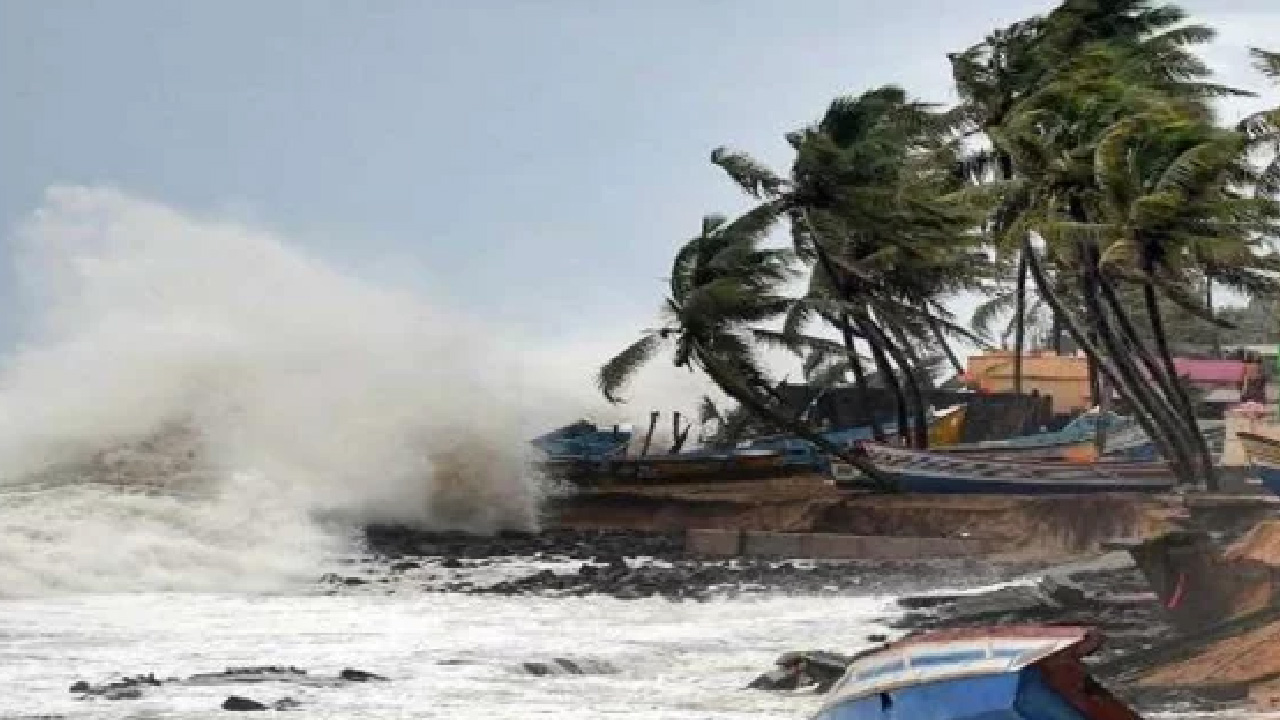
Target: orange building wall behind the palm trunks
x,y
1064,379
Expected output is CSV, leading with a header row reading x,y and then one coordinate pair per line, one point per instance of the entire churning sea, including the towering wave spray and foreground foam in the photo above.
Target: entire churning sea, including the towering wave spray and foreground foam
x,y
198,418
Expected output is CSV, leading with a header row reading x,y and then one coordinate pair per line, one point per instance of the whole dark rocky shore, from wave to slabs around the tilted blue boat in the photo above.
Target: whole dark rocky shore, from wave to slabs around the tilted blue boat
x,y
1107,593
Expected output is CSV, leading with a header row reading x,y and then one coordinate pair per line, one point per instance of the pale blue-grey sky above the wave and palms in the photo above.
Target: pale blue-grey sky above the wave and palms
x,y
532,162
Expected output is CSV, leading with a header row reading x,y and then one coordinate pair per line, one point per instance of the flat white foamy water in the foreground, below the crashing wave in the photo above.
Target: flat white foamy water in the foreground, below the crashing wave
x,y
445,655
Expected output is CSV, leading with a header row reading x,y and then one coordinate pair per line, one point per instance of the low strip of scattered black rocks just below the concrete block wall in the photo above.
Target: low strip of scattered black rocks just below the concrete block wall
x,y
630,566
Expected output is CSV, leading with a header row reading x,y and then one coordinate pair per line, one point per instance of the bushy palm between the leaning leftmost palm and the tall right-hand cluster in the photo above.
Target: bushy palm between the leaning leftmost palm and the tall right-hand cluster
x,y
866,209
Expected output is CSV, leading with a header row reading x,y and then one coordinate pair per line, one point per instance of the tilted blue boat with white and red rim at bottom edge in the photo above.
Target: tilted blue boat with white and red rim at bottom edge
x,y
1030,673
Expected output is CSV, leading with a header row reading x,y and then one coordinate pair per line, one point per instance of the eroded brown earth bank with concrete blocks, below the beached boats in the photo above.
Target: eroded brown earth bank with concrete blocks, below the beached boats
x,y
807,518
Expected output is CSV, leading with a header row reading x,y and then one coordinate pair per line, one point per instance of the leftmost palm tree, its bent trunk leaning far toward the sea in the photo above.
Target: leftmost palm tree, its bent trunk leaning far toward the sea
x,y
724,284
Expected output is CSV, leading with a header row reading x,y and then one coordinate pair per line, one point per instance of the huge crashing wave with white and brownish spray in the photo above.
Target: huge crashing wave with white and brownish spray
x,y
295,393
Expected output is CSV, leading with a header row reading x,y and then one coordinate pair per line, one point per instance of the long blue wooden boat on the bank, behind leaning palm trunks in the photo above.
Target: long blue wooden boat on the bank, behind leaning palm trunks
x,y
941,473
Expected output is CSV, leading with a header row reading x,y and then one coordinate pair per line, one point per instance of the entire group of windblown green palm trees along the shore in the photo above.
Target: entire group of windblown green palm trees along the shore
x,y
1090,129
